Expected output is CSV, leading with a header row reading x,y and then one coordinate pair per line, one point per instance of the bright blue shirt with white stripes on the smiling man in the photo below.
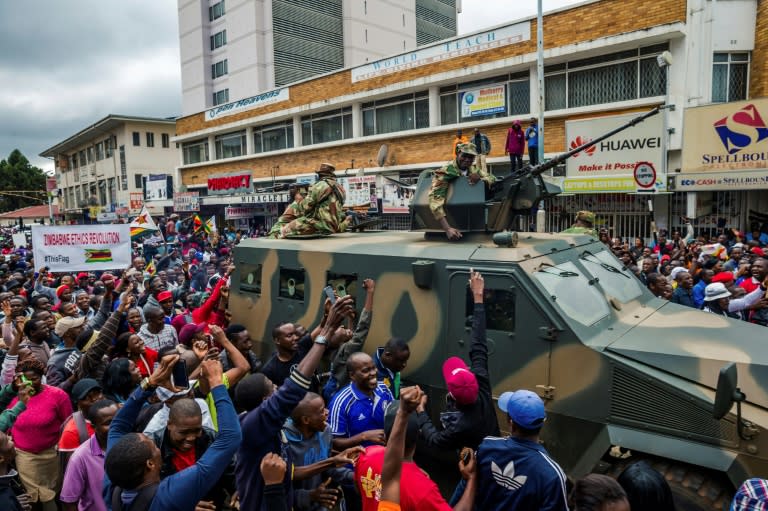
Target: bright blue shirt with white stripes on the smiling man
x,y
353,412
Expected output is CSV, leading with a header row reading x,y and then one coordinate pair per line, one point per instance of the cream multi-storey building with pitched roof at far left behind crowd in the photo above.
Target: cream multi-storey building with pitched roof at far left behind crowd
x,y
103,168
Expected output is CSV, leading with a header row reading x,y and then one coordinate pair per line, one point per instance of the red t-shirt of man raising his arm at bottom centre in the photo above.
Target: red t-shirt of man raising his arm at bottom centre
x,y
417,491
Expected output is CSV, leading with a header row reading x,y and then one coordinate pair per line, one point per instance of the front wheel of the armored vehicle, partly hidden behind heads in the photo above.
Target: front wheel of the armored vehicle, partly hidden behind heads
x,y
693,488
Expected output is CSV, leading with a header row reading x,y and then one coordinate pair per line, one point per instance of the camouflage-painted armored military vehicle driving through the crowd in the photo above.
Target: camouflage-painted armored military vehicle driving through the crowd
x,y
615,365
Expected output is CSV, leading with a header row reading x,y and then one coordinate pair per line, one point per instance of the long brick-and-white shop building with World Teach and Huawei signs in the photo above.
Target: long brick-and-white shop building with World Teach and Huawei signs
x,y
397,116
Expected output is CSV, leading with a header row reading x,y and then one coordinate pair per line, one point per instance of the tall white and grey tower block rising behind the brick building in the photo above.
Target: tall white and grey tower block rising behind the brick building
x,y
231,49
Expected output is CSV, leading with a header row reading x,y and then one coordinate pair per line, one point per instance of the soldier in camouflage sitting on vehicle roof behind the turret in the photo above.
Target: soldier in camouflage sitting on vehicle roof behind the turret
x,y
321,209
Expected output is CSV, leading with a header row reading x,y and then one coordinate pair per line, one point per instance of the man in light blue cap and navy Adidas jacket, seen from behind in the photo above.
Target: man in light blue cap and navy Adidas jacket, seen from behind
x,y
516,473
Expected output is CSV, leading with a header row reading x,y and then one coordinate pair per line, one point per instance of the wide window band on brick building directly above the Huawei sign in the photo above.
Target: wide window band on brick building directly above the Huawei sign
x,y
620,76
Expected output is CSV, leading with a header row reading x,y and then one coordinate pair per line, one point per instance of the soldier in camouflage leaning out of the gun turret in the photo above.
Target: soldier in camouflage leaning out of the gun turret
x,y
461,166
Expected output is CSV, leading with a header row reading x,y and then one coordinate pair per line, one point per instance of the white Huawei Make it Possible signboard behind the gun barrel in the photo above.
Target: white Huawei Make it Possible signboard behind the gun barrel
x,y
612,162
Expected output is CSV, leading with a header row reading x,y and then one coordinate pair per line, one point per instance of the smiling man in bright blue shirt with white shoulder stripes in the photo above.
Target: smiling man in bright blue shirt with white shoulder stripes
x,y
357,410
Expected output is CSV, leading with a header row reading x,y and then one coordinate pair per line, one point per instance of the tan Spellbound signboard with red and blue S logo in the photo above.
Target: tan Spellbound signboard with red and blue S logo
x,y
727,136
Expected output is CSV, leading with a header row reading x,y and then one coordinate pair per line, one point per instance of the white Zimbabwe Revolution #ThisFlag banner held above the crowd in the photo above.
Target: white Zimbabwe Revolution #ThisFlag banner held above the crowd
x,y
82,247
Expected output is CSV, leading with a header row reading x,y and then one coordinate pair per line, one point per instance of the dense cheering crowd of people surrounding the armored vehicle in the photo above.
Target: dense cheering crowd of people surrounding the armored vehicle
x,y
137,390
